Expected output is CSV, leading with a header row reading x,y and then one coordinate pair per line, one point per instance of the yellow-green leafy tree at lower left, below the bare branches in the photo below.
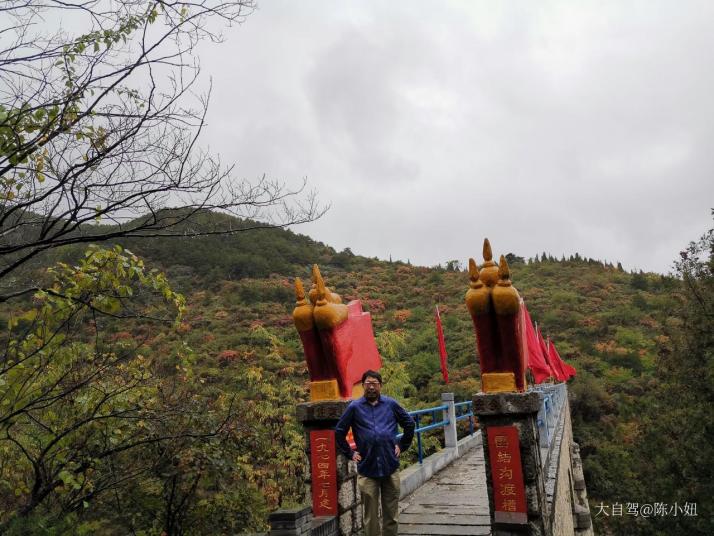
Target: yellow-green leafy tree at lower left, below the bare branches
x,y
72,397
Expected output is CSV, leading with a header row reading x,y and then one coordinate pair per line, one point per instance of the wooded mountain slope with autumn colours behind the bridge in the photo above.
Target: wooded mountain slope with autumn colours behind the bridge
x,y
237,333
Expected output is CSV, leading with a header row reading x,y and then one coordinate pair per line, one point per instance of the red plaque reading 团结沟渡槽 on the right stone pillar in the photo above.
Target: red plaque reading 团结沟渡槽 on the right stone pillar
x,y
509,493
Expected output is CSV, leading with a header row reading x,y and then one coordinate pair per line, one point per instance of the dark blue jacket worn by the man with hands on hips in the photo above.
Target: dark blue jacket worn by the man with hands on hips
x,y
375,432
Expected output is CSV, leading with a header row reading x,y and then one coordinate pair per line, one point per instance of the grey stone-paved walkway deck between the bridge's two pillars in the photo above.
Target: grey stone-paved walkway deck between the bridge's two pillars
x,y
453,502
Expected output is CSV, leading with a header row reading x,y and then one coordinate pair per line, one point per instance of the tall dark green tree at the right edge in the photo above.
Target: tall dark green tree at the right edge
x,y
680,436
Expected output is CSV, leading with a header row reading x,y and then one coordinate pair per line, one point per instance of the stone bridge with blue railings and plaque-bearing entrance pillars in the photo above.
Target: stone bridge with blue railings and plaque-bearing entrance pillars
x,y
460,490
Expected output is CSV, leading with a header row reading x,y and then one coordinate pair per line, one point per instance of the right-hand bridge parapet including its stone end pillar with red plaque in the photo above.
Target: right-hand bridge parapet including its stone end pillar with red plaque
x,y
538,422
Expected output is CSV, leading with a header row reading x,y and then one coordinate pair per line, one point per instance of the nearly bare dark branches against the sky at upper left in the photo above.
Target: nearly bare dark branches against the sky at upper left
x,y
99,130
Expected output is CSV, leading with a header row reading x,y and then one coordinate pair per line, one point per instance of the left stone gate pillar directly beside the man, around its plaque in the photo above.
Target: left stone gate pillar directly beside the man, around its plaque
x,y
323,415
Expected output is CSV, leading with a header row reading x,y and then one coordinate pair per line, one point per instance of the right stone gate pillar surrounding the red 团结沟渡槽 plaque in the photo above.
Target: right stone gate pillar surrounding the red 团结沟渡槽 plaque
x,y
519,410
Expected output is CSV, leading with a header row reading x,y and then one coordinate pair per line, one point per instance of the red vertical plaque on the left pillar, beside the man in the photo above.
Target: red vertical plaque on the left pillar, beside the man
x,y
323,461
